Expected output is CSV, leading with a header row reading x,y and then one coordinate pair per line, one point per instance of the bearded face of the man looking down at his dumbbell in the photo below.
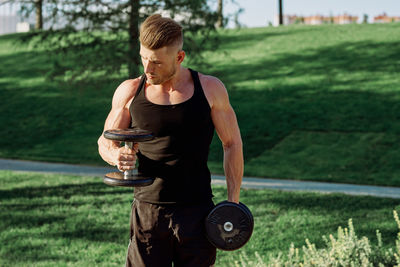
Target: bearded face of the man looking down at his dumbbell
x,y
159,65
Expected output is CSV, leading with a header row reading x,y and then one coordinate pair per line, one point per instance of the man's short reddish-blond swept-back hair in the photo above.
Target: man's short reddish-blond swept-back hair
x,y
157,32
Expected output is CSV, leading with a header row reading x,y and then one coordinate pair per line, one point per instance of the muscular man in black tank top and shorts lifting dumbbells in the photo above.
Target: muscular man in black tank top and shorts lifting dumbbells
x,y
181,108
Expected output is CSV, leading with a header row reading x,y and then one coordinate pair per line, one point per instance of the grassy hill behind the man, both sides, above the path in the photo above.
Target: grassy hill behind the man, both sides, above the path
x,y
313,103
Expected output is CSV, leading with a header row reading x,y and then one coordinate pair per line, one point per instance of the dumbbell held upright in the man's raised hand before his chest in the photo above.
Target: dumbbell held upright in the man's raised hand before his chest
x,y
128,178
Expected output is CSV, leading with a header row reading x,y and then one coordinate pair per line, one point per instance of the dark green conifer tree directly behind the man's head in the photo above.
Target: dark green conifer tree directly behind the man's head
x,y
102,35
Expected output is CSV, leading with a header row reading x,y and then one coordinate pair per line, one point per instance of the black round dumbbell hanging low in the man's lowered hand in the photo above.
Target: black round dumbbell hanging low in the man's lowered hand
x,y
229,225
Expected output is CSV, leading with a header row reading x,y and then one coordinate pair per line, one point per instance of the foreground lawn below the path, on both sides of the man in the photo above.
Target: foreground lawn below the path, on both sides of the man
x,y
60,220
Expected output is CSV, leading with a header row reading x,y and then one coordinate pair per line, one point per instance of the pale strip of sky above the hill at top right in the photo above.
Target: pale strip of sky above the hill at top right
x,y
257,13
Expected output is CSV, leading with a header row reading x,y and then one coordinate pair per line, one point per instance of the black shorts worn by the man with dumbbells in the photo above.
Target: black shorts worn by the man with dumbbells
x,y
166,234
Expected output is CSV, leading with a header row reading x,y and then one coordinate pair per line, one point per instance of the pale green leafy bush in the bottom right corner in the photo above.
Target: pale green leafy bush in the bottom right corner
x,y
344,250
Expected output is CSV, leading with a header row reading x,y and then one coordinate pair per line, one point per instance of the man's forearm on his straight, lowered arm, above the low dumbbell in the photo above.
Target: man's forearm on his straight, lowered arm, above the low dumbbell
x,y
233,166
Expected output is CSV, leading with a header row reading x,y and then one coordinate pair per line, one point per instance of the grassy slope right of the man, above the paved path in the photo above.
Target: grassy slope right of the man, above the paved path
x,y
316,103
